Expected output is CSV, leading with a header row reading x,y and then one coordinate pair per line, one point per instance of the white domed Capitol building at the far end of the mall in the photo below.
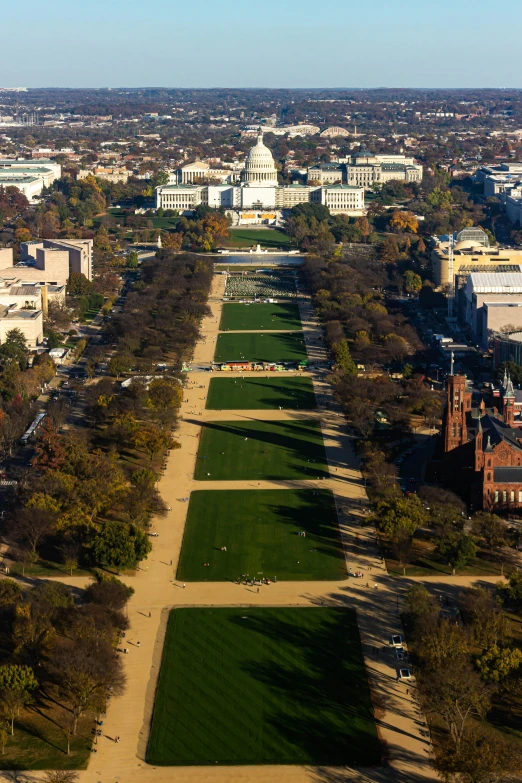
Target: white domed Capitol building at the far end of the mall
x,y
257,197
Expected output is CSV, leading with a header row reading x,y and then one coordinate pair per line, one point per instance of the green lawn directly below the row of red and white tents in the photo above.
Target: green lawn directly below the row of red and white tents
x,y
253,393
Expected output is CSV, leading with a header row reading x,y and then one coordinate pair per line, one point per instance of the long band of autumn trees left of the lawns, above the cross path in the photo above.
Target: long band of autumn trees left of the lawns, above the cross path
x,y
81,500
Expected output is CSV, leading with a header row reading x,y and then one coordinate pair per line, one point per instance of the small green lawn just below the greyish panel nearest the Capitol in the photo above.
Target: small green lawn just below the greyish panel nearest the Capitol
x,y
237,317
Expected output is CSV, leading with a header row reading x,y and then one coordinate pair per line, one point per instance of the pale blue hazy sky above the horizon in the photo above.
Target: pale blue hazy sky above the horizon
x,y
273,43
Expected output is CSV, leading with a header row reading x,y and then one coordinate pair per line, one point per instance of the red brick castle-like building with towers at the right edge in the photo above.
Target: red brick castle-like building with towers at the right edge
x,y
483,448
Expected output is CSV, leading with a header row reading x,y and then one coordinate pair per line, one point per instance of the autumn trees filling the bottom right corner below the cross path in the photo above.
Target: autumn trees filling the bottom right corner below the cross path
x,y
467,669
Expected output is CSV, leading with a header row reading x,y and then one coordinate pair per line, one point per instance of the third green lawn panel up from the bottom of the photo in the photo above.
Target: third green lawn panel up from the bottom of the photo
x,y
231,450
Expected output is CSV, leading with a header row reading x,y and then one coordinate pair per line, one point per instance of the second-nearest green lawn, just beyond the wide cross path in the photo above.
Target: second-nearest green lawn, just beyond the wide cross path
x,y
259,529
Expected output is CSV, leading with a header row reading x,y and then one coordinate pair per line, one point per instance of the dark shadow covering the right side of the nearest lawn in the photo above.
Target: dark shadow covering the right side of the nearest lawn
x,y
330,715
